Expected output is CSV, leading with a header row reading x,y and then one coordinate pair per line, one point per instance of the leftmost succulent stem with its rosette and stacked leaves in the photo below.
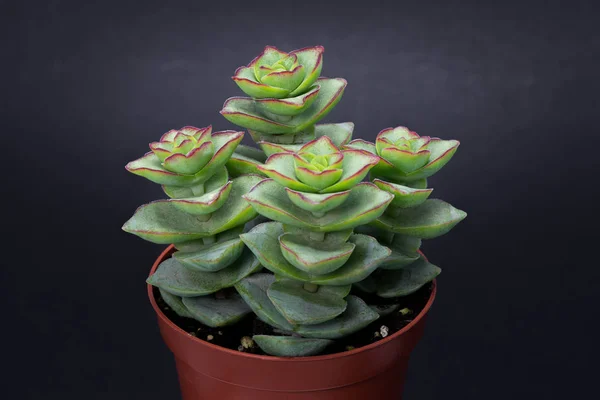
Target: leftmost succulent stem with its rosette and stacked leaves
x,y
203,217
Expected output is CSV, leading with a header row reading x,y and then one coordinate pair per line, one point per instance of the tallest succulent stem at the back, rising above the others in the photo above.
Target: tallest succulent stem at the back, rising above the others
x,y
287,95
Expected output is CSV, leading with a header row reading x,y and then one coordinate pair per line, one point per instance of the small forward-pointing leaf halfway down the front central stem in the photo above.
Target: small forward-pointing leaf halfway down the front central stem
x,y
314,257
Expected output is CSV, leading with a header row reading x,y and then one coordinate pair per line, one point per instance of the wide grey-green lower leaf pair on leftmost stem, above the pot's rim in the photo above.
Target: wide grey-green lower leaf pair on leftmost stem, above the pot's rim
x,y
175,278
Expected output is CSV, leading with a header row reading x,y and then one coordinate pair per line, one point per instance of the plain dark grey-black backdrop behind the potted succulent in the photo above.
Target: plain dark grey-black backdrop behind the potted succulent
x,y
87,84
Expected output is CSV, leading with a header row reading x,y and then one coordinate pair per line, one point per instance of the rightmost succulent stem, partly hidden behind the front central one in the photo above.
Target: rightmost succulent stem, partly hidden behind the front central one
x,y
406,161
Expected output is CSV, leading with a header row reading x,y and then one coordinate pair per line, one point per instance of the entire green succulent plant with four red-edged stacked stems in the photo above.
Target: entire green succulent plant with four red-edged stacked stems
x,y
299,230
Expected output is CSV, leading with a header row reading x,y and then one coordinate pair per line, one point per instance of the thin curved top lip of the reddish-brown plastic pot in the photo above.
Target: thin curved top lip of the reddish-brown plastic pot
x,y
348,353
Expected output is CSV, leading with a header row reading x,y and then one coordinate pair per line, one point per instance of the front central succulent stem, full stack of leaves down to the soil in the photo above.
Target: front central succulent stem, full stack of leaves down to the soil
x,y
315,199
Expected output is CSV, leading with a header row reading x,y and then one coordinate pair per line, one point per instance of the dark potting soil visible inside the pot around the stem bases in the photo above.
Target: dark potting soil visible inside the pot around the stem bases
x,y
231,336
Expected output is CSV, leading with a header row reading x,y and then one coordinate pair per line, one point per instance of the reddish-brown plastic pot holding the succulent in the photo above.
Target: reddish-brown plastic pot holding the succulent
x,y
207,371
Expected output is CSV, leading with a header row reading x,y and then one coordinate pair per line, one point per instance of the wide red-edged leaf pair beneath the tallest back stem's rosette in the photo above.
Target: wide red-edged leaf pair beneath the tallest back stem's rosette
x,y
243,111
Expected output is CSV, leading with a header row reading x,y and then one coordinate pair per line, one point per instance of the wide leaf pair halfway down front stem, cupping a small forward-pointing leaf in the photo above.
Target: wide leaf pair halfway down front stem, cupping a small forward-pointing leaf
x,y
367,255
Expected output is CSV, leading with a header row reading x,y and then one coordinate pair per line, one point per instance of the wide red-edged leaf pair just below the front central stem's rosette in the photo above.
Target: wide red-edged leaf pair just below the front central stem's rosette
x,y
365,203
